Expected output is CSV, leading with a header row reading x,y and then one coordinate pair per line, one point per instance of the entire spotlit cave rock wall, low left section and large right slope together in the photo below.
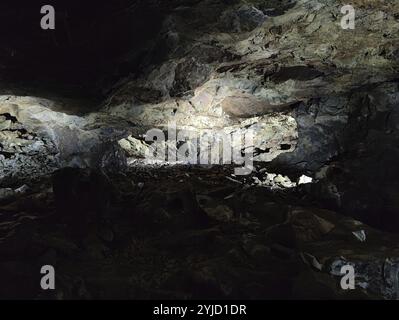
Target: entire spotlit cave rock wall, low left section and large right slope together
x,y
319,98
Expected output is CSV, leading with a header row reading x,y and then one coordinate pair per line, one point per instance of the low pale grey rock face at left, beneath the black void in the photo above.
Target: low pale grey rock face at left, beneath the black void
x,y
37,139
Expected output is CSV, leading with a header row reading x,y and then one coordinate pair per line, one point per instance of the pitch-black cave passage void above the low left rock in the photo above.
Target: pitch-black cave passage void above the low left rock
x,y
92,47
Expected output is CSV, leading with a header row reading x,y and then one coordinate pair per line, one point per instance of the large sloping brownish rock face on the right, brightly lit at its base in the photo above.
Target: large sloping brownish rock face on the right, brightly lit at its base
x,y
329,94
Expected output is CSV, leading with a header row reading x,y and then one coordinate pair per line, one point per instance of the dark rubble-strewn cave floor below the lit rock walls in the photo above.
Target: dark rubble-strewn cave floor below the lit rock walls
x,y
189,233
